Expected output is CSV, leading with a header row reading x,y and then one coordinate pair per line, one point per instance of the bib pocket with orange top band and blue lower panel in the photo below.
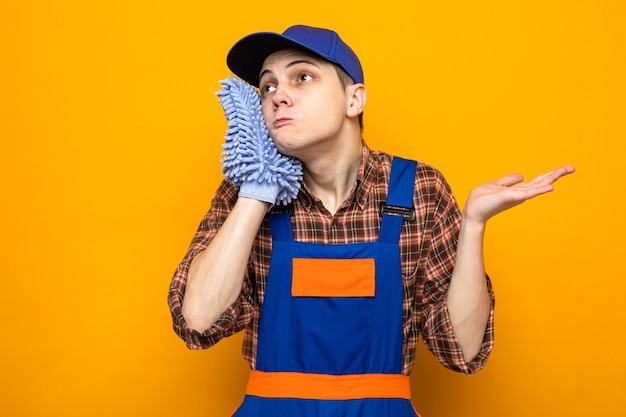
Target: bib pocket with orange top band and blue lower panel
x,y
331,309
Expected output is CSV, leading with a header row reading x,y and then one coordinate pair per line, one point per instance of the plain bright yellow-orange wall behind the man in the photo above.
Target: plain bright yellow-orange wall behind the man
x,y
111,135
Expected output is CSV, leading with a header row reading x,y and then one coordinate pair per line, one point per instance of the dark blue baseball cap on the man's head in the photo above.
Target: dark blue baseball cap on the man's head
x,y
246,57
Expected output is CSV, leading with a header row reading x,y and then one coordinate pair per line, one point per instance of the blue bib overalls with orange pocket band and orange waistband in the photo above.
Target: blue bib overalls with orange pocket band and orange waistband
x,y
330,331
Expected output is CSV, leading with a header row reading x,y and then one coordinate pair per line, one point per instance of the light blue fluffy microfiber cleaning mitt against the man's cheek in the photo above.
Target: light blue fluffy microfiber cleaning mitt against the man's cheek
x,y
250,160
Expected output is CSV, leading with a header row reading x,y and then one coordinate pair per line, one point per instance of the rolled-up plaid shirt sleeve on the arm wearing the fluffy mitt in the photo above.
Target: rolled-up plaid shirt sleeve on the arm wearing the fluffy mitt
x,y
237,316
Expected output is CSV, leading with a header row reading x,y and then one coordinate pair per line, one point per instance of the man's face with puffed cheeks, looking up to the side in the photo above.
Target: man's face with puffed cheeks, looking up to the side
x,y
303,102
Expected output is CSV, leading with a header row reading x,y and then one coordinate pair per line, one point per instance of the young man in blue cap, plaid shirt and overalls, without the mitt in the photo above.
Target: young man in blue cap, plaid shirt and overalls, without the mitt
x,y
334,291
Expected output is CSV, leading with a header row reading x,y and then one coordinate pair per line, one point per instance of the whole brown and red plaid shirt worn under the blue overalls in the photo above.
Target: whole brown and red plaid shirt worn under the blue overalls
x,y
427,244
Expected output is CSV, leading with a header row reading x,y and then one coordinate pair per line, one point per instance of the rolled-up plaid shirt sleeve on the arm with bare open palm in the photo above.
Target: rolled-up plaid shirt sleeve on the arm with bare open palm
x,y
437,331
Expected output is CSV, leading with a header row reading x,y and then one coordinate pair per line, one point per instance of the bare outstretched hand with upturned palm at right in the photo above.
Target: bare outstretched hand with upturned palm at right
x,y
487,200
